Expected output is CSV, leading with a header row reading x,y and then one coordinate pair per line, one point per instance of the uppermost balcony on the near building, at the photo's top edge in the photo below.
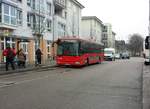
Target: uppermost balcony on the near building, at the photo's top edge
x,y
59,4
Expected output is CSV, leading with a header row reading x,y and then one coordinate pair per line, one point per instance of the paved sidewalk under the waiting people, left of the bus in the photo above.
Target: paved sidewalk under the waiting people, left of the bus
x,y
29,67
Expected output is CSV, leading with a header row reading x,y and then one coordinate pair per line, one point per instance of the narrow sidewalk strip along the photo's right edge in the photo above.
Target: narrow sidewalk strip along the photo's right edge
x,y
146,87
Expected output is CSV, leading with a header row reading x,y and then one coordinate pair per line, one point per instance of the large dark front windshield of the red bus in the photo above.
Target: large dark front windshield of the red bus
x,y
68,48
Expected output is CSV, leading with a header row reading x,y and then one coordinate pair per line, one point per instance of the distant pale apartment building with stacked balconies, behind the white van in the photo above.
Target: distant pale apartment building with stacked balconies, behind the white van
x,y
108,37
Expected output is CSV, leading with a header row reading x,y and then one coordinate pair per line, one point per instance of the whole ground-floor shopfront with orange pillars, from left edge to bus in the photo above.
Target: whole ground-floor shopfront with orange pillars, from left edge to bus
x,y
28,44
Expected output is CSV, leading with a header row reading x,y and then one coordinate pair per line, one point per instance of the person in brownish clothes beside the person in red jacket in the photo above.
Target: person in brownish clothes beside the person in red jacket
x,y
21,58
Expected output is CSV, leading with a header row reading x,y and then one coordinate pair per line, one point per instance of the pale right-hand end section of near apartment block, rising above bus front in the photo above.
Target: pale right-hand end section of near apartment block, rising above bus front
x,y
68,19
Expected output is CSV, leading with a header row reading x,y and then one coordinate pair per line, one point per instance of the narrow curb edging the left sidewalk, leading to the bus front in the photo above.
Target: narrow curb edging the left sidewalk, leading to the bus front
x,y
27,69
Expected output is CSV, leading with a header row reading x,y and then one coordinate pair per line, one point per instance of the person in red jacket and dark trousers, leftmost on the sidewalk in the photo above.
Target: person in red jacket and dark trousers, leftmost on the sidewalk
x,y
10,54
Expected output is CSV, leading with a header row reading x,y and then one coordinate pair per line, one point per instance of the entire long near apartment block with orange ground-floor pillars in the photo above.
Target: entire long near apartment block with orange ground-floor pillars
x,y
30,24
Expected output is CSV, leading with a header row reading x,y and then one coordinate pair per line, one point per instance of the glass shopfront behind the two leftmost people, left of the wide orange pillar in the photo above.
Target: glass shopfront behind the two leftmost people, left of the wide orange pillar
x,y
15,42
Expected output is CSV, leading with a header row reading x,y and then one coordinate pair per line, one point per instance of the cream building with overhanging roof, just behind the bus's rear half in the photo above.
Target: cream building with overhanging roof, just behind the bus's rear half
x,y
92,28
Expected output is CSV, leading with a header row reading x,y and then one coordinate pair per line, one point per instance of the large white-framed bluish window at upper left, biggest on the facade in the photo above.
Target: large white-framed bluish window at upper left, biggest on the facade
x,y
9,14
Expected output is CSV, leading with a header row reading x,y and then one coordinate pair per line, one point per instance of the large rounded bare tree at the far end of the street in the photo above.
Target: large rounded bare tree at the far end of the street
x,y
136,44
